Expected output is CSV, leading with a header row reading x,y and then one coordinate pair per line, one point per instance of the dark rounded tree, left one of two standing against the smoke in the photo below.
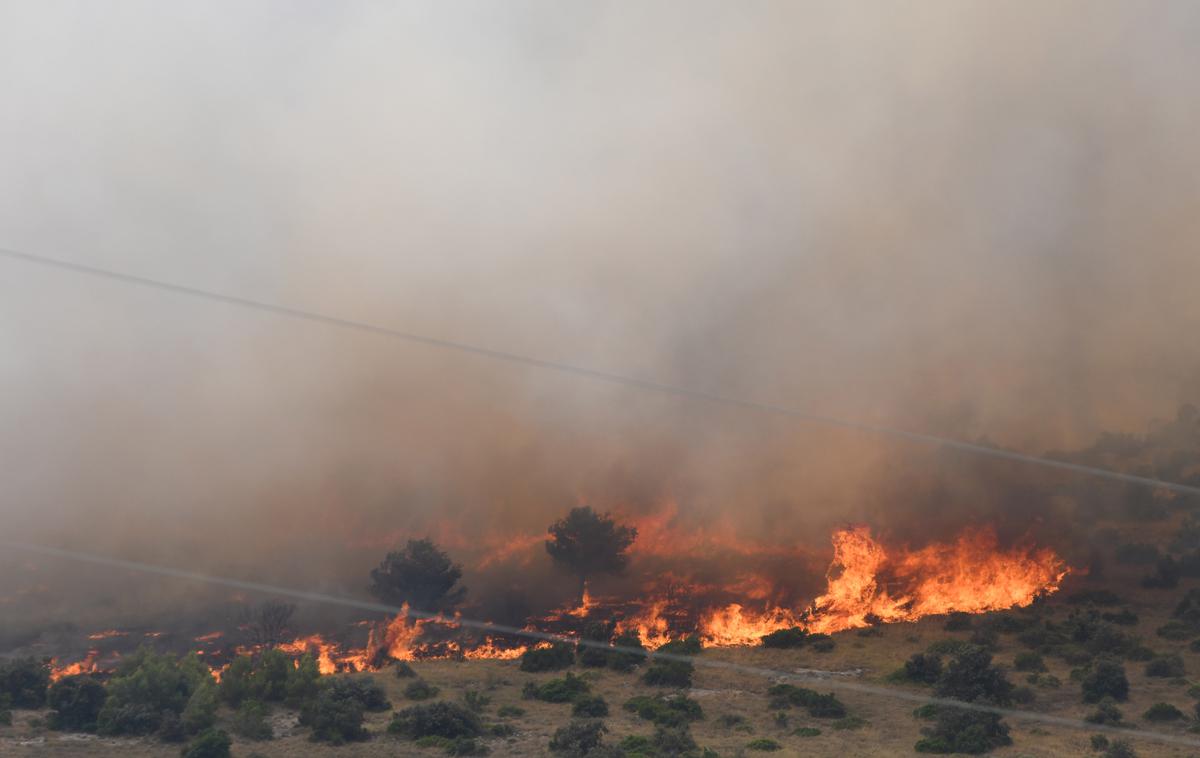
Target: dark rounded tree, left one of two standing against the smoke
x,y
419,575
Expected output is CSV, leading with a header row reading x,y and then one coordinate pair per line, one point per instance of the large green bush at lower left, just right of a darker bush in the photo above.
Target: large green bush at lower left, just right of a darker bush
x,y
146,687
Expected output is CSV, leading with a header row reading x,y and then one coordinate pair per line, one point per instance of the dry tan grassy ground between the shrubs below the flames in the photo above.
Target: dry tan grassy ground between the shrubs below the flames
x,y
890,727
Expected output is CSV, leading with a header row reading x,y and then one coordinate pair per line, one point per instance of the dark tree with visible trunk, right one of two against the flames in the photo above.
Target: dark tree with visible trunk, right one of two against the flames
x,y
587,544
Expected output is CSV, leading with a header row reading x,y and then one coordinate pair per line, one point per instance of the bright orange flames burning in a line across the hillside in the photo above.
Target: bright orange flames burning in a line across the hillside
x,y
867,585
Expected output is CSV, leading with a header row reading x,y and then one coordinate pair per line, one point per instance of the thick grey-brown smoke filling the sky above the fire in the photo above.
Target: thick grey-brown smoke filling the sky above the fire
x,y
973,220
